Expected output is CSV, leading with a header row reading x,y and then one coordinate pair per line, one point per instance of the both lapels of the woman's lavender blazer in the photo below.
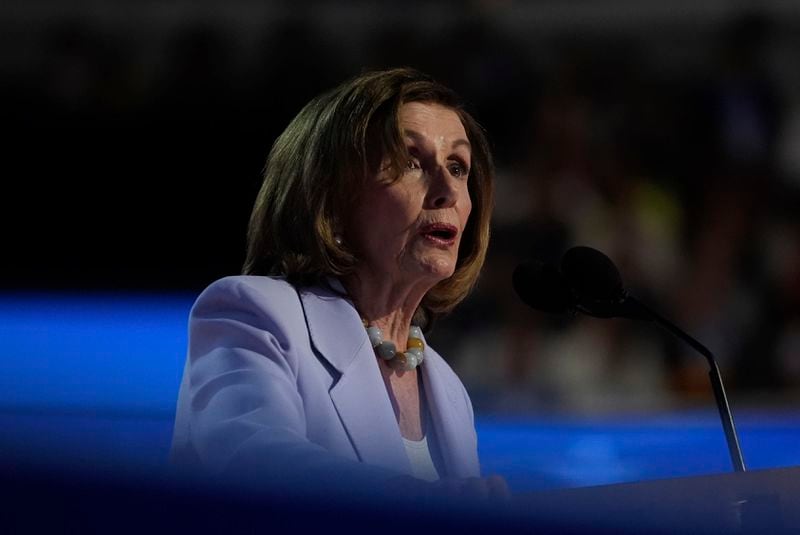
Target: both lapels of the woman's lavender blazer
x,y
360,396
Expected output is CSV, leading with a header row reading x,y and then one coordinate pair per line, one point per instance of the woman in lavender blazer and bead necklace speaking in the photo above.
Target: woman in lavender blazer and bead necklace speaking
x,y
373,220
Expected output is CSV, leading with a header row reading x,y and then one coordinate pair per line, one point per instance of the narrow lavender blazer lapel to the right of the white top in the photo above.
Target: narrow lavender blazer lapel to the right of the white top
x,y
450,419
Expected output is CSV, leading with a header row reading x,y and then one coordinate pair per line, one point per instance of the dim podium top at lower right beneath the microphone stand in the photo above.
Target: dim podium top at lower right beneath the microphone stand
x,y
758,501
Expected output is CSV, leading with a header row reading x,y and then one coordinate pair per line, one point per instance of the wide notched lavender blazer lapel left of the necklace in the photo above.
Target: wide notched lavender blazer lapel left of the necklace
x,y
359,395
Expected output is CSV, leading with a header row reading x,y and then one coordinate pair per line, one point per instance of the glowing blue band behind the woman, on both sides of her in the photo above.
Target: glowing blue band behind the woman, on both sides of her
x,y
93,380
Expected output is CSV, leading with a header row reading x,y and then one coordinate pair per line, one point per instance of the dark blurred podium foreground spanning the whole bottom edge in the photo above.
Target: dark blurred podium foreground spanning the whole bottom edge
x,y
63,501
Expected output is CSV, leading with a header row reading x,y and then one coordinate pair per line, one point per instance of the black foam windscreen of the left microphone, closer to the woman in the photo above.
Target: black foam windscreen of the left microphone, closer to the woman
x,y
542,287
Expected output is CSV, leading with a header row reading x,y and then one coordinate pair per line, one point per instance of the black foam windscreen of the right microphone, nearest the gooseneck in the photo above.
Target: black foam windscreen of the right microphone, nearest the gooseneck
x,y
592,274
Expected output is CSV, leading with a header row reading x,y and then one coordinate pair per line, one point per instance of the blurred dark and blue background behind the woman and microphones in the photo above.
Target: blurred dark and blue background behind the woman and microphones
x,y
668,136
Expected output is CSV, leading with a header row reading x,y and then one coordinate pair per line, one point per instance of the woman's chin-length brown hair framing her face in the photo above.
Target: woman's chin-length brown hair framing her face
x,y
327,151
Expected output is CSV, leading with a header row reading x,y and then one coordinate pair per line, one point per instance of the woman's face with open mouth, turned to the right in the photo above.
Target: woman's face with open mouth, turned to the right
x,y
409,230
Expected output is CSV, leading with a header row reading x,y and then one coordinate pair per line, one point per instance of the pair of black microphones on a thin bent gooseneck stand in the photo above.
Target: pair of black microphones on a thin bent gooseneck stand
x,y
590,283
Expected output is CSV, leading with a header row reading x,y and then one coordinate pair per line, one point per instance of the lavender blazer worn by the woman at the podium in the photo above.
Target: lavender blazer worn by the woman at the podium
x,y
282,380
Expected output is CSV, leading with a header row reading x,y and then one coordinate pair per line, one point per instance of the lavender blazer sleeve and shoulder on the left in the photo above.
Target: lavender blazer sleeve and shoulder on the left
x,y
240,412
